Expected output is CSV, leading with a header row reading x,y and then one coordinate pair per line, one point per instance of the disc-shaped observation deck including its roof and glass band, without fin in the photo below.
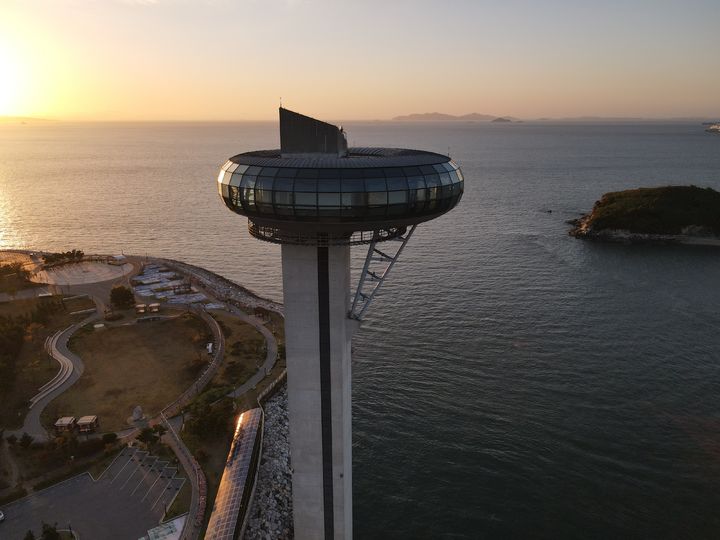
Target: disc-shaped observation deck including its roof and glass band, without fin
x,y
383,188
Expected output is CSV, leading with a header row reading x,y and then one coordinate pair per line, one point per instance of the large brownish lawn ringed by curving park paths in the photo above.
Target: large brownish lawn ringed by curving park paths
x,y
148,364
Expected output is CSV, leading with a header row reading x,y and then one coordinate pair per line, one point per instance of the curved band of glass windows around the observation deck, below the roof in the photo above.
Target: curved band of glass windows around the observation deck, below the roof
x,y
362,194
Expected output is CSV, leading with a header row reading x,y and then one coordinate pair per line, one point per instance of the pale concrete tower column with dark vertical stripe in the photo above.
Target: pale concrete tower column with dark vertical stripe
x,y
316,283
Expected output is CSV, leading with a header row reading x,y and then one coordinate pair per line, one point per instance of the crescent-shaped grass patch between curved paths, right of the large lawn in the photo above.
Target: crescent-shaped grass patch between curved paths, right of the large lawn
x,y
244,351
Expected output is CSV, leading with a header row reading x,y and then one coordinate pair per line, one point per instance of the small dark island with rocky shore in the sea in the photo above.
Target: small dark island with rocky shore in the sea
x,y
671,214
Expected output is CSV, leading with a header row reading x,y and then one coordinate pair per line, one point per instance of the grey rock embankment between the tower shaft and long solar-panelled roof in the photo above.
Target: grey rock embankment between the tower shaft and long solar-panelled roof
x,y
270,516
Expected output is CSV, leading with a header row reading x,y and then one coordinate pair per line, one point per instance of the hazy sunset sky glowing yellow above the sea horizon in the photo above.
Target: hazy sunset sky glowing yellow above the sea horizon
x,y
358,60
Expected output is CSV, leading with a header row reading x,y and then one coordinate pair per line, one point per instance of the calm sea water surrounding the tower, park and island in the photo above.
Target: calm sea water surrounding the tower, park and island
x,y
511,381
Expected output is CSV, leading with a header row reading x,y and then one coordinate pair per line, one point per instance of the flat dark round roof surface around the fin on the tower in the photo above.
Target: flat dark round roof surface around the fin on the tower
x,y
357,158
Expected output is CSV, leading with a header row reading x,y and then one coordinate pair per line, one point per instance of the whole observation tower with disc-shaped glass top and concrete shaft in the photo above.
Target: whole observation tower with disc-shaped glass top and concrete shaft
x,y
317,197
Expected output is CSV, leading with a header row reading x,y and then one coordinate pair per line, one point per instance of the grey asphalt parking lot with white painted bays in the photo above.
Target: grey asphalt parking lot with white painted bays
x,y
129,498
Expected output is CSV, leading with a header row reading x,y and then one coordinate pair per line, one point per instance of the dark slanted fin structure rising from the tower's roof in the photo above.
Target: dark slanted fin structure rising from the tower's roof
x,y
301,135
